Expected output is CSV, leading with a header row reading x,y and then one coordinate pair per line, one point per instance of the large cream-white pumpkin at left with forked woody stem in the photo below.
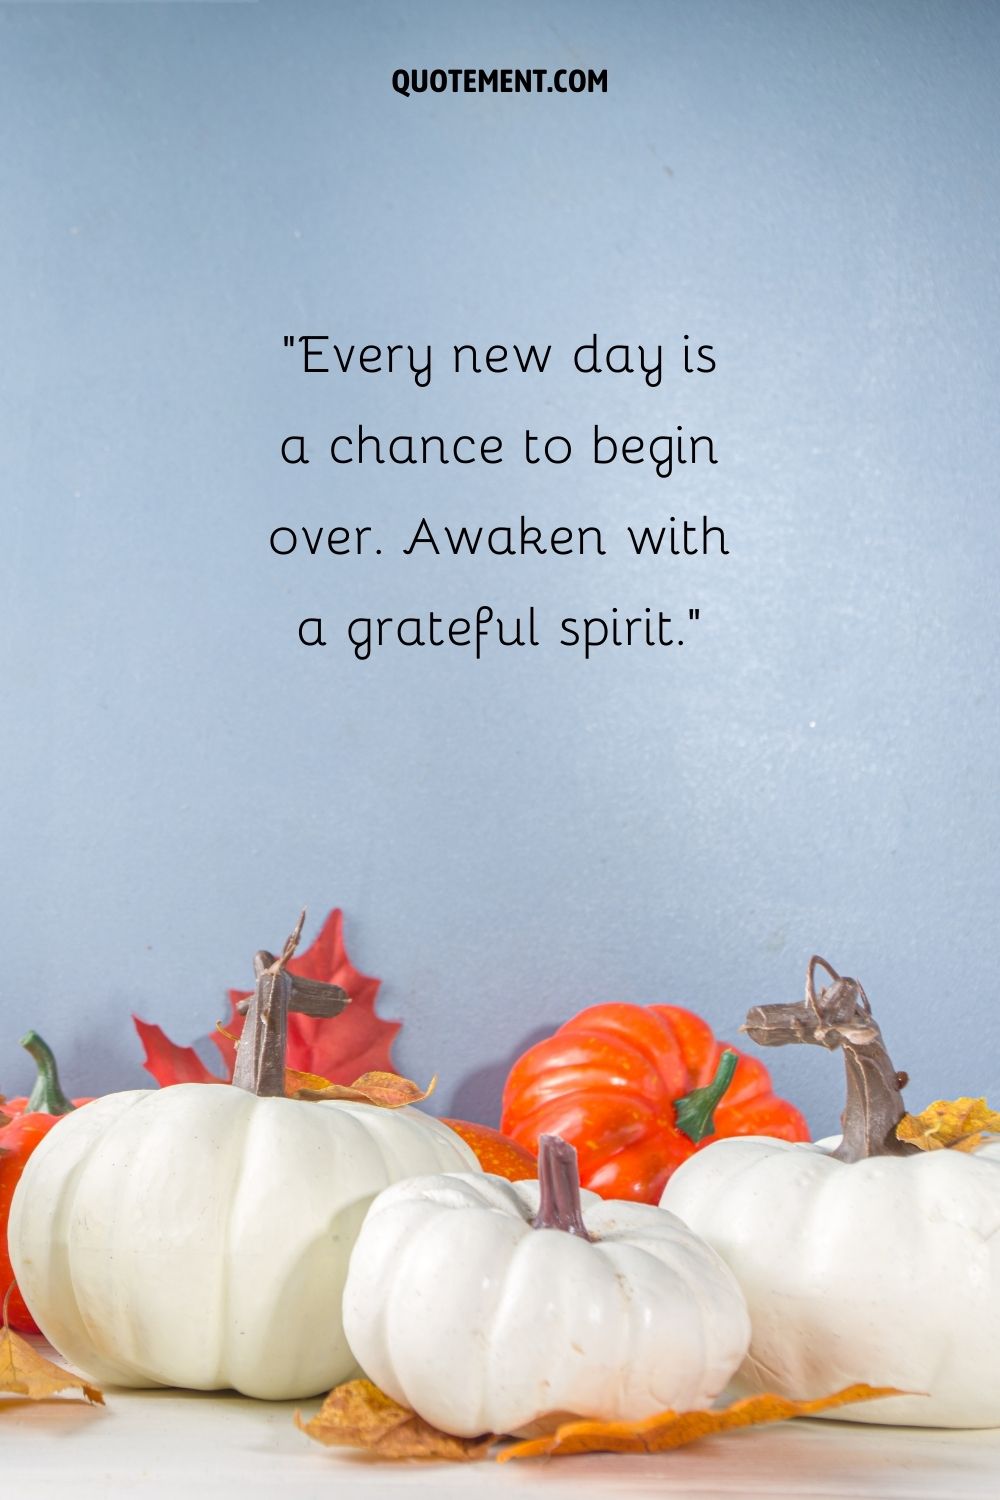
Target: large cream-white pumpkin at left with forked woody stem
x,y
200,1235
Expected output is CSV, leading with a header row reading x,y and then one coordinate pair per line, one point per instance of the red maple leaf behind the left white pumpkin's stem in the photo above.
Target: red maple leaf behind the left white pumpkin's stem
x,y
340,1048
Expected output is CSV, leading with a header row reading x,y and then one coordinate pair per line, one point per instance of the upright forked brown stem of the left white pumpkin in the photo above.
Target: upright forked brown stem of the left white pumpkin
x,y
260,1061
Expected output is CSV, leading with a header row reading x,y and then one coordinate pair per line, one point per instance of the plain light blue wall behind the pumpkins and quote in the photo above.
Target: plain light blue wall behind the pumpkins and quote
x,y
809,187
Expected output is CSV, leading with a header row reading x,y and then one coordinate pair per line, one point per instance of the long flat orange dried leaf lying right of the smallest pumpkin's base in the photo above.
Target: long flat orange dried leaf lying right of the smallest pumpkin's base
x,y
657,1435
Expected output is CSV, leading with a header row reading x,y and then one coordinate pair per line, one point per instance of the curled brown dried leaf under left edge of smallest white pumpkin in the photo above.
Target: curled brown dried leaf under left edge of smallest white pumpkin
x,y
359,1415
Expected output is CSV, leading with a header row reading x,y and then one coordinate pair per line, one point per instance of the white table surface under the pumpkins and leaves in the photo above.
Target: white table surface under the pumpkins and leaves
x,y
184,1445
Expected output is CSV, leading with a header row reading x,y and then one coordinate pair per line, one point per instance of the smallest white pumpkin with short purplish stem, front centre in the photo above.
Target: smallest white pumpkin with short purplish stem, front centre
x,y
500,1307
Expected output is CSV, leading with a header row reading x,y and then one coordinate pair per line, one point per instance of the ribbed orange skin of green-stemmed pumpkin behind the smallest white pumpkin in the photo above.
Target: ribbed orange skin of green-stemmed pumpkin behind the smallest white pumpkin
x,y
608,1082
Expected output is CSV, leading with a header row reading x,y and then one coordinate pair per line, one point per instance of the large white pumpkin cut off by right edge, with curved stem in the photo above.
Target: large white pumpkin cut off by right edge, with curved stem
x,y
861,1261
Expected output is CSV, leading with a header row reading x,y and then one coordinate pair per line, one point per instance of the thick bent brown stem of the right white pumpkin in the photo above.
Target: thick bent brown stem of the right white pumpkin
x,y
840,1016
